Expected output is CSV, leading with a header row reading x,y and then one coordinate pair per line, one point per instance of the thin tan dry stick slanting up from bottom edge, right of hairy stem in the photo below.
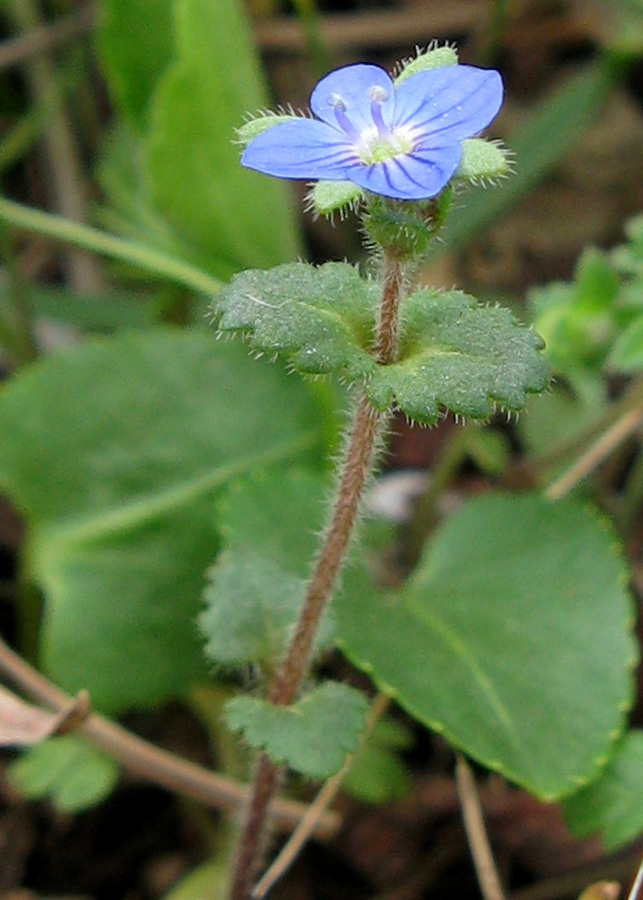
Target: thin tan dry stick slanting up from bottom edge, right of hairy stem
x,y
319,805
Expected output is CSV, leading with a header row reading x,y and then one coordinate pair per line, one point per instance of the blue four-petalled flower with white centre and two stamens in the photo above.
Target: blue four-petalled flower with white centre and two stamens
x,y
401,141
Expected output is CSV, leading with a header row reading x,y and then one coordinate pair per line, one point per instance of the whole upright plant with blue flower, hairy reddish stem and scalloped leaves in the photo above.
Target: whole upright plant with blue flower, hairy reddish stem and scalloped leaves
x,y
395,146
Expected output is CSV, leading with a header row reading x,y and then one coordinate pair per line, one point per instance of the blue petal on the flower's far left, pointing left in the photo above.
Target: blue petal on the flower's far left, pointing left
x,y
302,149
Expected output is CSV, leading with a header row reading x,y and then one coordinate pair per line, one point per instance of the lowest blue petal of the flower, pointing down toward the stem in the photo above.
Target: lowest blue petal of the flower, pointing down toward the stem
x,y
416,176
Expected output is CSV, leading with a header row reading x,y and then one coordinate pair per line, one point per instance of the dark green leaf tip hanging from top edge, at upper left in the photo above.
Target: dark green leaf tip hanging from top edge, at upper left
x,y
134,41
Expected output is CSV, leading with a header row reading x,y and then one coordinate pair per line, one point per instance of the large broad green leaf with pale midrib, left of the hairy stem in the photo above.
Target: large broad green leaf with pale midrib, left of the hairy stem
x,y
115,451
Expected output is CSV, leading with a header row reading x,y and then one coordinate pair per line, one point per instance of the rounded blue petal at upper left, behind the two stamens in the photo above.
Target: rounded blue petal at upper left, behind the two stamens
x,y
352,84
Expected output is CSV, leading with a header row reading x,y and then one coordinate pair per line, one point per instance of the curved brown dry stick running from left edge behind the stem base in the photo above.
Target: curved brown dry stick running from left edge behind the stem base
x,y
150,762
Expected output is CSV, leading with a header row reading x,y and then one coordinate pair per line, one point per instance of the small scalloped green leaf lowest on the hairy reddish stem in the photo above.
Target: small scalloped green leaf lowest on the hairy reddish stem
x,y
313,736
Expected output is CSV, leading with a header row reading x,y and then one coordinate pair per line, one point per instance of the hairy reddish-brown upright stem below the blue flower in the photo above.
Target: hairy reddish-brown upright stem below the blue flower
x,y
290,677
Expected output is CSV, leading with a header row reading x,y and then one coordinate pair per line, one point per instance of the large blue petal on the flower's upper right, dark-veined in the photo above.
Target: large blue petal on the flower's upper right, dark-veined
x,y
449,103
